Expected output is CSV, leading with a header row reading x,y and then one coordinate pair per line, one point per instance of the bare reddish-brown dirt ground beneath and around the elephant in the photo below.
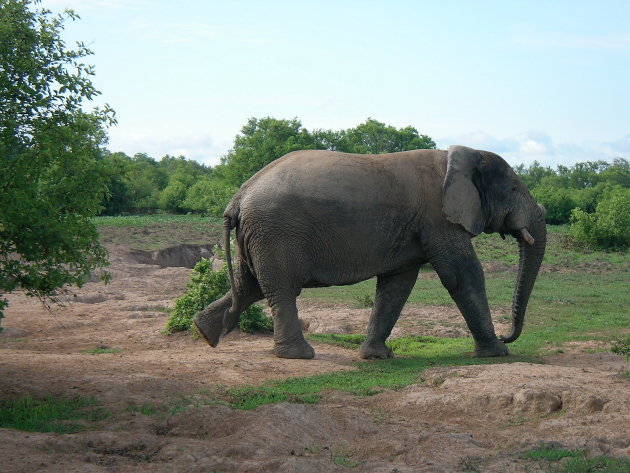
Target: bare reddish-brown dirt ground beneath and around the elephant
x,y
473,418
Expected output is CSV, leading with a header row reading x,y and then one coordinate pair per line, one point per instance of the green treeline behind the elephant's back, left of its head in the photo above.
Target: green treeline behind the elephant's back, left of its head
x,y
141,184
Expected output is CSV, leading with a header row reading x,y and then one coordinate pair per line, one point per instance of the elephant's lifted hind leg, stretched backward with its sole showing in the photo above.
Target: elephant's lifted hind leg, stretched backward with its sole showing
x,y
220,318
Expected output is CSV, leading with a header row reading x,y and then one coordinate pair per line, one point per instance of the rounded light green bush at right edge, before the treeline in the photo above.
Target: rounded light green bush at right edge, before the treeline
x,y
608,227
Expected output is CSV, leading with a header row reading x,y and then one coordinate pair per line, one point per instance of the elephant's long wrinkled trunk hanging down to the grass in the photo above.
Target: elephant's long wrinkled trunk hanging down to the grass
x,y
531,256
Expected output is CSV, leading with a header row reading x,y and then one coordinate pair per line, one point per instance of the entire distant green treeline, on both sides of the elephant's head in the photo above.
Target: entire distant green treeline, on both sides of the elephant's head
x,y
142,184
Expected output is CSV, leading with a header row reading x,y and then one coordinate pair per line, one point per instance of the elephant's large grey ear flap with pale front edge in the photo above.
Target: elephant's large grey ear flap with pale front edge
x,y
461,203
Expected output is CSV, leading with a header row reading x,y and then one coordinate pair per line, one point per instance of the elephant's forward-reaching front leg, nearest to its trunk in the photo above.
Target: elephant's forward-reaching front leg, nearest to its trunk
x,y
462,275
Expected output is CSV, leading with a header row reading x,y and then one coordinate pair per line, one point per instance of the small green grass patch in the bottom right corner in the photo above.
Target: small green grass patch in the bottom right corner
x,y
577,462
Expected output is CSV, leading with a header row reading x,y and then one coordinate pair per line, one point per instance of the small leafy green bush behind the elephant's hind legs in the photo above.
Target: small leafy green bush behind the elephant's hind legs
x,y
207,286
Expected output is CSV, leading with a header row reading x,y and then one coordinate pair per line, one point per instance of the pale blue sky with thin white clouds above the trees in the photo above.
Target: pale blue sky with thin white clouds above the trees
x,y
530,80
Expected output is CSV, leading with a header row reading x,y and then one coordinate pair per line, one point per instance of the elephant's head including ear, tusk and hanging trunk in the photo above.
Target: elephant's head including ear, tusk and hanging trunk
x,y
483,194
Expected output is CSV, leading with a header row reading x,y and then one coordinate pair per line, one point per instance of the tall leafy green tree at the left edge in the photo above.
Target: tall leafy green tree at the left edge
x,y
52,177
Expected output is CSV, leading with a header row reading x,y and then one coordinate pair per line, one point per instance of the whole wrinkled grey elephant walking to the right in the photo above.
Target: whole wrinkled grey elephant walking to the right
x,y
320,218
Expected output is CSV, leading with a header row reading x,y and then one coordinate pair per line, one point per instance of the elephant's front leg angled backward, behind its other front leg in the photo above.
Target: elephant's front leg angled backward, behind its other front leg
x,y
392,292
